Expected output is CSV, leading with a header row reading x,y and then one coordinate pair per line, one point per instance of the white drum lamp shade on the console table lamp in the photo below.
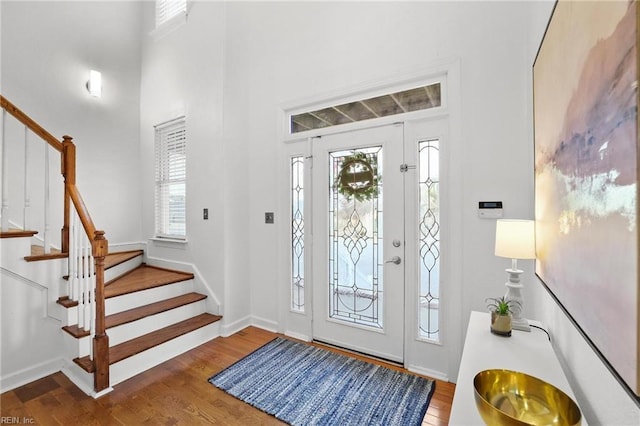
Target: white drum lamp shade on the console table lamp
x,y
515,239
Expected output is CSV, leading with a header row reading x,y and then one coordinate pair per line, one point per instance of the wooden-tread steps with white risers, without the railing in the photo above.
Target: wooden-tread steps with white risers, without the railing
x,y
152,315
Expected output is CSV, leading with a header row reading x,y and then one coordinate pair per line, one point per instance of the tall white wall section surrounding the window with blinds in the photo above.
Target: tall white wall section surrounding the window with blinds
x,y
182,74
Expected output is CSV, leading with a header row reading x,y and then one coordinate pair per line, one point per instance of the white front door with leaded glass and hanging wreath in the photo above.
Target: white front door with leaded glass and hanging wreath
x,y
358,240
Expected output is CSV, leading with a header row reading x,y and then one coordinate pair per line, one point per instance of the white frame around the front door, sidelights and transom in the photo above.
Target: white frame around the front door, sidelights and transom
x,y
298,325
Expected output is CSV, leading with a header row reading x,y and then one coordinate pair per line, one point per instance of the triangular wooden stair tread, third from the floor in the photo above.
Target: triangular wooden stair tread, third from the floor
x,y
142,278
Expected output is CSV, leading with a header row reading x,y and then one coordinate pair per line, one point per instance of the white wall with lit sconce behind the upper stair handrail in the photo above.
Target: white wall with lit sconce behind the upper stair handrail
x,y
47,50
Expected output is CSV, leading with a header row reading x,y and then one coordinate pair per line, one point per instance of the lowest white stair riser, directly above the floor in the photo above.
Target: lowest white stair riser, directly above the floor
x,y
143,361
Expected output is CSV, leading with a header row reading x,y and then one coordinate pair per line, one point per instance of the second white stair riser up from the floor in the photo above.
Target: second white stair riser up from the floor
x,y
146,325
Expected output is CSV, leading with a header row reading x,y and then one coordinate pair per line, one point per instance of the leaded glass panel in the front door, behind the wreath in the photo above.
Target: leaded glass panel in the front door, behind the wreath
x,y
355,249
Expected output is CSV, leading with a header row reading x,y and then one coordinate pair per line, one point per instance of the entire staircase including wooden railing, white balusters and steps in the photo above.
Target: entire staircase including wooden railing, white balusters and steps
x,y
120,314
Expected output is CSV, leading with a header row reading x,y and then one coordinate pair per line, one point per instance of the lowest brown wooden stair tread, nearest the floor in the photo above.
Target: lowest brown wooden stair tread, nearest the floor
x,y
140,344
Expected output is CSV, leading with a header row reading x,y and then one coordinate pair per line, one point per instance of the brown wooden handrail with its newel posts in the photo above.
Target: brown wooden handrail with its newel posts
x,y
99,244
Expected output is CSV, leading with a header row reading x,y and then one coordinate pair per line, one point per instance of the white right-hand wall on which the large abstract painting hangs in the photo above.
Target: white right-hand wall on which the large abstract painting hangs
x,y
603,400
